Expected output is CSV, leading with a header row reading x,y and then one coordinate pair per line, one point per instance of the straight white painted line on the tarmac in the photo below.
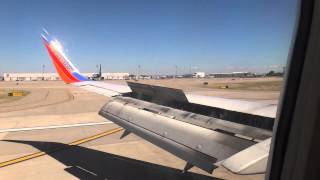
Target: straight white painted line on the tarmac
x,y
54,127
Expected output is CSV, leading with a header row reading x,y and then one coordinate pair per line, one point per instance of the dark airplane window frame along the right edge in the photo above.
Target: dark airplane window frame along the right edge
x,y
294,142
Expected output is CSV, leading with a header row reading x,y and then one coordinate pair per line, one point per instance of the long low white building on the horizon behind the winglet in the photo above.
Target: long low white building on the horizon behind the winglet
x,y
55,76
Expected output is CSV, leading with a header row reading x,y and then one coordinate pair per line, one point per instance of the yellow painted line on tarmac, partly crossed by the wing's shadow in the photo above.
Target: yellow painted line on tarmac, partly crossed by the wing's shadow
x,y
70,145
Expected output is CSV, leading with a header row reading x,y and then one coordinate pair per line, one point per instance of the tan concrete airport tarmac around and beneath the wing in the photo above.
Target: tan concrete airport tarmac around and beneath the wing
x,y
54,114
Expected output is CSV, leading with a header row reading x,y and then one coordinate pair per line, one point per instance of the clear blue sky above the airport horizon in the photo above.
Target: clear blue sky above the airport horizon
x,y
207,35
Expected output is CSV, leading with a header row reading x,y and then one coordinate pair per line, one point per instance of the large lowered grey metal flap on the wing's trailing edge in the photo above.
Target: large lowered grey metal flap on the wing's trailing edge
x,y
203,148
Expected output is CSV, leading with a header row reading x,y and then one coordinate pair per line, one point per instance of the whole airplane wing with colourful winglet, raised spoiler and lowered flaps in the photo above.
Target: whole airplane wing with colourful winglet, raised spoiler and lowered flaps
x,y
204,131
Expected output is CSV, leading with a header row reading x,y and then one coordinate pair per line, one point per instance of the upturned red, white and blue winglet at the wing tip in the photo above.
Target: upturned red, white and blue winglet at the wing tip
x,y
66,70
